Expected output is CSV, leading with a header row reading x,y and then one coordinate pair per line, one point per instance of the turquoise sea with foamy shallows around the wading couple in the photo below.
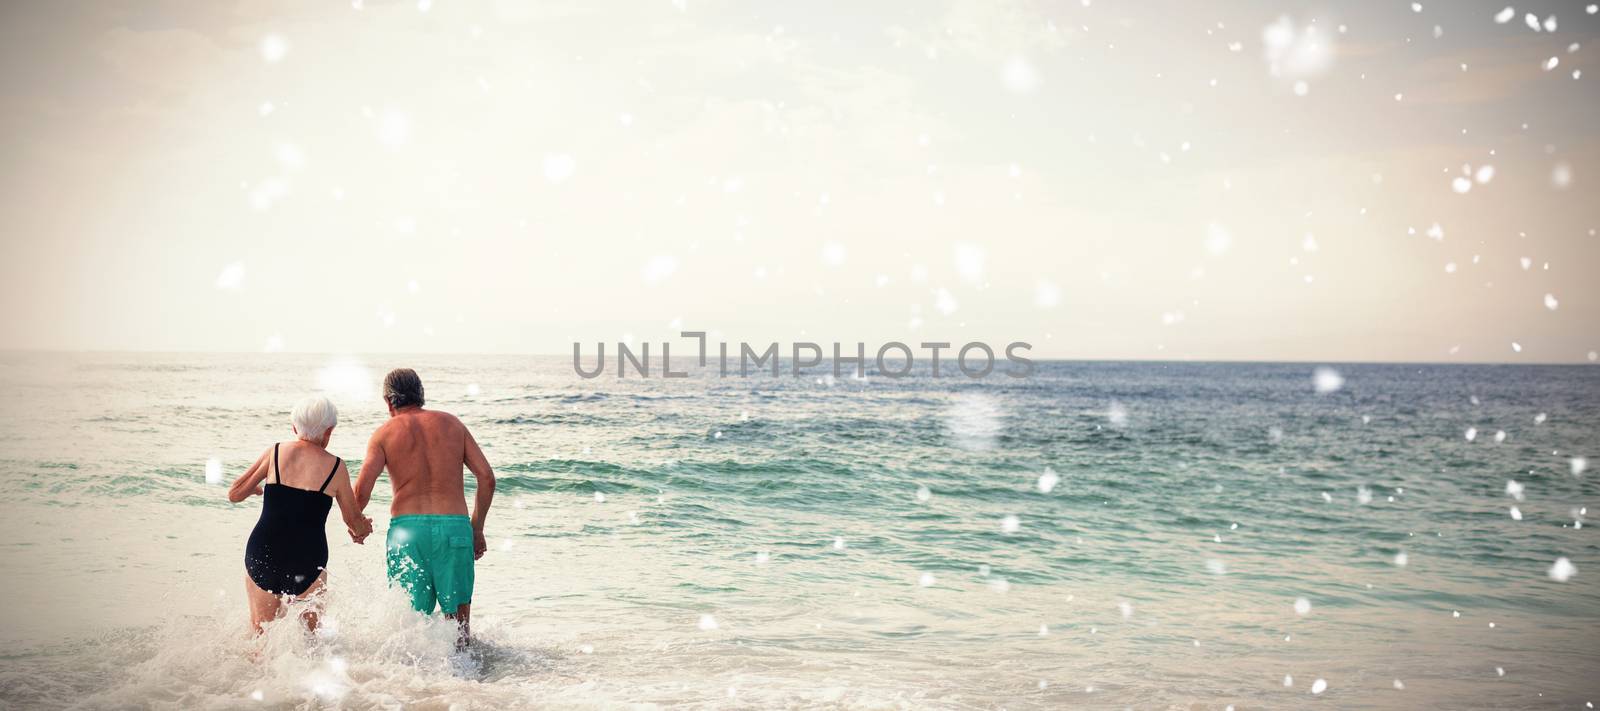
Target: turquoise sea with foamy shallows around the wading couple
x,y
817,542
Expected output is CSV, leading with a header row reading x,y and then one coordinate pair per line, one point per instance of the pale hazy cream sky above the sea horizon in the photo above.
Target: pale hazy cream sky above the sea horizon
x,y
1105,180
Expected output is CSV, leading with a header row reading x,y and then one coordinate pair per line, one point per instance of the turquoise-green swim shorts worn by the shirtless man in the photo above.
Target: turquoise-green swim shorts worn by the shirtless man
x,y
431,560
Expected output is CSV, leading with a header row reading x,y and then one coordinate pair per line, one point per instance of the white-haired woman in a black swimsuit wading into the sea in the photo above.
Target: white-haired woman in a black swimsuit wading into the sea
x,y
289,552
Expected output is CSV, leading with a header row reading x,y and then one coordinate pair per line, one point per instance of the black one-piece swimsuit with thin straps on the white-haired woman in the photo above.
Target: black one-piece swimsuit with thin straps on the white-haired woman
x,y
290,545
